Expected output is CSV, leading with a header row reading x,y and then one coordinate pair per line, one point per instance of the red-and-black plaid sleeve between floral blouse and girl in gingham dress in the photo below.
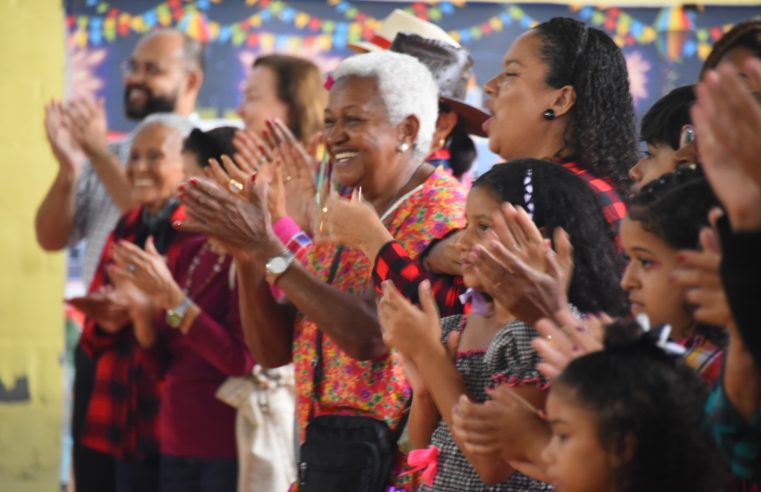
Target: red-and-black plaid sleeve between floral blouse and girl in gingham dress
x,y
394,263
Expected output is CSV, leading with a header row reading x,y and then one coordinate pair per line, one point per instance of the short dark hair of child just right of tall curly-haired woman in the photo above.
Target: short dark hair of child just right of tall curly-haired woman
x,y
663,122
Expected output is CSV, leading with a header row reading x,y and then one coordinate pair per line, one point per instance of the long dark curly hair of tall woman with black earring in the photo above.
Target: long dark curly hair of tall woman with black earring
x,y
601,133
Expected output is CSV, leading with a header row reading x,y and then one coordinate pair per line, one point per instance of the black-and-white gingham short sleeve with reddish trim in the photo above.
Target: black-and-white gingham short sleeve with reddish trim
x,y
510,358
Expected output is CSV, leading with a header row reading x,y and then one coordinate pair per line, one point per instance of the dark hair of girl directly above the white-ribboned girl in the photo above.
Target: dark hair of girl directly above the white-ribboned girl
x,y
675,208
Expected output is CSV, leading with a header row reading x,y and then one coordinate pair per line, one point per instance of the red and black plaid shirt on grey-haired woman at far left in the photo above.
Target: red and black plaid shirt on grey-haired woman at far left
x,y
122,414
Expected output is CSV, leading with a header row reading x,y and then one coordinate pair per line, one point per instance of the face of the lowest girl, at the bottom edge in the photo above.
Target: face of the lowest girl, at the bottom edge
x,y
577,460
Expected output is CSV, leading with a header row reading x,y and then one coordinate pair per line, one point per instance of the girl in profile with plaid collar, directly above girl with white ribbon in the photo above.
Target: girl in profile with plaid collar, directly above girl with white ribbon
x,y
664,218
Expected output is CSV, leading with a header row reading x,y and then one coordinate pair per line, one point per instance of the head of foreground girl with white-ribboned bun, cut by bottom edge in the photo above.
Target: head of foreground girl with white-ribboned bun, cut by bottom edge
x,y
629,419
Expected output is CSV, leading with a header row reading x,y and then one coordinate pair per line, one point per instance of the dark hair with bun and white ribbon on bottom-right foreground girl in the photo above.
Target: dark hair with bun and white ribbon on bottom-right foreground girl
x,y
647,399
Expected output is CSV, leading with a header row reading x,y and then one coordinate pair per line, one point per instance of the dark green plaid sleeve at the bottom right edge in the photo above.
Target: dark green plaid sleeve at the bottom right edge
x,y
738,439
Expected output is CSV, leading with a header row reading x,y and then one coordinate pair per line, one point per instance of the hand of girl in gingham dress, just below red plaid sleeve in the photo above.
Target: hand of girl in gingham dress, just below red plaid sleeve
x,y
406,327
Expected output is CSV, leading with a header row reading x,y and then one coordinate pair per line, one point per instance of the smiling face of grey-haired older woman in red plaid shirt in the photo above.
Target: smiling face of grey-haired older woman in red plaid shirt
x,y
155,166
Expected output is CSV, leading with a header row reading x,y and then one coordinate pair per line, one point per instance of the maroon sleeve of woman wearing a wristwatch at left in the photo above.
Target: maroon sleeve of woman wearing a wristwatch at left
x,y
222,344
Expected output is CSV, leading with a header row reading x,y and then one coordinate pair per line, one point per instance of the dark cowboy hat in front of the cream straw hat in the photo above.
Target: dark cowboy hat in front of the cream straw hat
x,y
452,68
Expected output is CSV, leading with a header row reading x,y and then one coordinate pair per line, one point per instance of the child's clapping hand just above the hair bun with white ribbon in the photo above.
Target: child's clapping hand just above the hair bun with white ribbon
x,y
566,340
